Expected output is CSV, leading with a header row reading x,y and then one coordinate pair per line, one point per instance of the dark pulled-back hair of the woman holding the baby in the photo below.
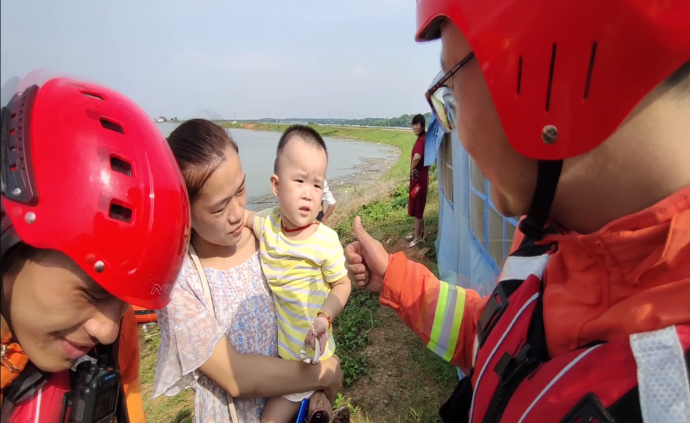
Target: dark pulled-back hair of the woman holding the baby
x,y
199,146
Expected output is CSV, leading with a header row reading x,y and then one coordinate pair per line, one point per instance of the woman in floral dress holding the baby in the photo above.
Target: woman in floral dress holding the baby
x,y
225,351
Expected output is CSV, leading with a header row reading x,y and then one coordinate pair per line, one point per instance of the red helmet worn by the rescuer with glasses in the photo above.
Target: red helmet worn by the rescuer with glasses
x,y
579,66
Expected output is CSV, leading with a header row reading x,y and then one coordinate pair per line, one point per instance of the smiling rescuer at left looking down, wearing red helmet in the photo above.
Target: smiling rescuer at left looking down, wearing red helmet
x,y
82,234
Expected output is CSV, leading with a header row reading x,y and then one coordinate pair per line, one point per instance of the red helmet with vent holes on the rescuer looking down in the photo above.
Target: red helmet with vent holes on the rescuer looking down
x,y
86,172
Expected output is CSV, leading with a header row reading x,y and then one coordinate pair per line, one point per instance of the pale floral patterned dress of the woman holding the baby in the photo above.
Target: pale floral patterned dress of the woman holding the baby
x,y
189,332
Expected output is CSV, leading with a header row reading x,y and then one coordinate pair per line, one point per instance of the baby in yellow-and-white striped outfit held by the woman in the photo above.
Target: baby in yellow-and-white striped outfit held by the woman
x,y
302,259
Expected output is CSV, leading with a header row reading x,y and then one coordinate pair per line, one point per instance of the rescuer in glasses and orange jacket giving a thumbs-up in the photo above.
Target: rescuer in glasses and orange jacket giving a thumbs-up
x,y
582,124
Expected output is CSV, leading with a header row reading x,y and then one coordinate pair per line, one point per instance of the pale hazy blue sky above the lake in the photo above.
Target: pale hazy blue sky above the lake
x,y
230,59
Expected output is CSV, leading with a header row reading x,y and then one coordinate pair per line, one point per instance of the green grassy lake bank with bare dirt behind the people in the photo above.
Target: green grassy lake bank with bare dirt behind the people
x,y
389,375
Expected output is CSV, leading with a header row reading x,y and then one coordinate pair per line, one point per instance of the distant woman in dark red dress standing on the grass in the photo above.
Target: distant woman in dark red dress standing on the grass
x,y
419,181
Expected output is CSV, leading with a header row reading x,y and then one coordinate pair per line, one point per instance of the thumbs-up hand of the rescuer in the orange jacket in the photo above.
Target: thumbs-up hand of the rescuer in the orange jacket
x,y
367,260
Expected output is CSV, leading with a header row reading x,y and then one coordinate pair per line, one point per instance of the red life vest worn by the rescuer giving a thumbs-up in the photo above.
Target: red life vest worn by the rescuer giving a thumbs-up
x,y
643,378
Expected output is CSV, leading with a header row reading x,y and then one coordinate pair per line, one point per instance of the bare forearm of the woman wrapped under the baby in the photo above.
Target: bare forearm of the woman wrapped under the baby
x,y
250,376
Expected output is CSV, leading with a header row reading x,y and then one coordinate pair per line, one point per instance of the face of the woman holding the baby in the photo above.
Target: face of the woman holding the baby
x,y
218,211
